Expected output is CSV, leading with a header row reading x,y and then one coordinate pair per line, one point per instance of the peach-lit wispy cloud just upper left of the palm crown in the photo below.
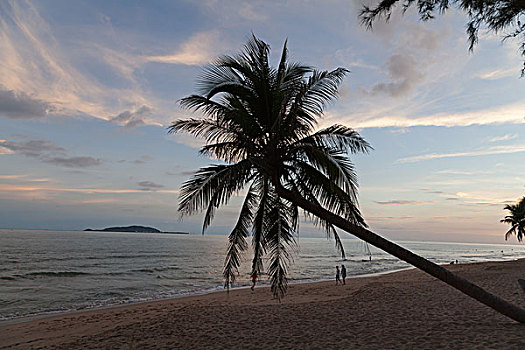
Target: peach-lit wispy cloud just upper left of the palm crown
x,y
197,50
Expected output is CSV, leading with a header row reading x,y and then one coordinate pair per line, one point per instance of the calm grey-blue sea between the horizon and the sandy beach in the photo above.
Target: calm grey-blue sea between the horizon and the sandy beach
x,y
46,272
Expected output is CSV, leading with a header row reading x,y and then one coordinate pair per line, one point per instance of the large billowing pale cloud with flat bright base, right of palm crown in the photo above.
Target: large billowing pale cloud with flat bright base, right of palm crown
x,y
426,92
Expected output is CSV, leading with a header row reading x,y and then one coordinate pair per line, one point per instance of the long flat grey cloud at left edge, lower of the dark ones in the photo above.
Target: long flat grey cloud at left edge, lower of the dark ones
x,y
47,152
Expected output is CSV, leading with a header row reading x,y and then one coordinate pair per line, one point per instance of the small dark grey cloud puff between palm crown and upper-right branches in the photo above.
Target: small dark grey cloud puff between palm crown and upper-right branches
x,y
404,75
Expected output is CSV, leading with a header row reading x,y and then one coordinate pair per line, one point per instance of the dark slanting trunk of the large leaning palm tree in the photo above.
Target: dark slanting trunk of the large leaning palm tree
x,y
429,267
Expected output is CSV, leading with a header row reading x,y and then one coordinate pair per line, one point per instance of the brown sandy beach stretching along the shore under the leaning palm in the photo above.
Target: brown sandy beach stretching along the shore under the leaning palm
x,y
401,310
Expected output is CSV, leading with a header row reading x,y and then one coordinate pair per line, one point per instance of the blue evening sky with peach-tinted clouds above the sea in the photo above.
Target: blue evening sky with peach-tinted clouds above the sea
x,y
88,89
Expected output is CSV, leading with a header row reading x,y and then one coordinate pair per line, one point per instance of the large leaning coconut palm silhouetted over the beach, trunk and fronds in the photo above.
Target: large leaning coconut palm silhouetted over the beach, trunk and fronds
x,y
260,121
